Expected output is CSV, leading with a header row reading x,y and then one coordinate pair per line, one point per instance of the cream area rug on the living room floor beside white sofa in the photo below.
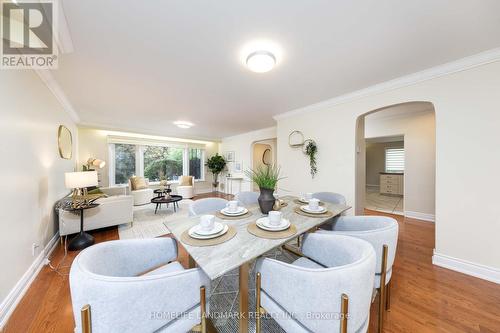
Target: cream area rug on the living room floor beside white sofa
x,y
147,224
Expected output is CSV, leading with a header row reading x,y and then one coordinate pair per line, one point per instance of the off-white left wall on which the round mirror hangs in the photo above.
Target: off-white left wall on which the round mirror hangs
x,y
32,175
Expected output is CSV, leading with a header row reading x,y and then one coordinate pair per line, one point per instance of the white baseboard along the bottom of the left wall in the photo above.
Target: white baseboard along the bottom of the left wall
x,y
16,294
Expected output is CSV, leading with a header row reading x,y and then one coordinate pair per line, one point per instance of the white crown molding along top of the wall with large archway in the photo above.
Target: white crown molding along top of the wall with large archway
x,y
463,64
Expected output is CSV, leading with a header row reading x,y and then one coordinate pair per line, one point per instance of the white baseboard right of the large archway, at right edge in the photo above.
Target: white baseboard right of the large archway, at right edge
x,y
466,267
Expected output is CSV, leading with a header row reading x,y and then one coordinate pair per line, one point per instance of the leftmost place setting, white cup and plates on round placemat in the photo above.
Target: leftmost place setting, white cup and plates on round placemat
x,y
208,232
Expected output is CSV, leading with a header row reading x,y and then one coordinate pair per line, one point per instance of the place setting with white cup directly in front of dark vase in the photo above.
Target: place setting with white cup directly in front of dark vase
x,y
272,226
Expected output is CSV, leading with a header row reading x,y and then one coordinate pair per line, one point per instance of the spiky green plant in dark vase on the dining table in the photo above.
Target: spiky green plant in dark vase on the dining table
x,y
266,177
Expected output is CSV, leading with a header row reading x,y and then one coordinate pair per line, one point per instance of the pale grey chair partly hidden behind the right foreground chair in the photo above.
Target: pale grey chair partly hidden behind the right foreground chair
x,y
382,233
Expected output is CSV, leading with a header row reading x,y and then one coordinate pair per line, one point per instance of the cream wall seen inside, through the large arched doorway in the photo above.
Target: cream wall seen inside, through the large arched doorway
x,y
420,155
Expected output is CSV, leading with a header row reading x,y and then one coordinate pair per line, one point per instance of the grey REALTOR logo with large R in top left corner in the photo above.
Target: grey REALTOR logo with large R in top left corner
x,y
28,30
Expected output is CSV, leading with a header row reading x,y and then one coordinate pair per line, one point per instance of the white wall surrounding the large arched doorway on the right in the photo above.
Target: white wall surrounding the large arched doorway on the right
x,y
467,119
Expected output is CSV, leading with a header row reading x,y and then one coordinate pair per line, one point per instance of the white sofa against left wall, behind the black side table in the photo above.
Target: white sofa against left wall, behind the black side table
x,y
113,210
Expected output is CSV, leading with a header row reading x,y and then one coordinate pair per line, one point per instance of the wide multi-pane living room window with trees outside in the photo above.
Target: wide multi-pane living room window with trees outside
x,y
156,163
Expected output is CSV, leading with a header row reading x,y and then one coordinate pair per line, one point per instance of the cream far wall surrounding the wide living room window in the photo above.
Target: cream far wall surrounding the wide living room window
x,y
94,143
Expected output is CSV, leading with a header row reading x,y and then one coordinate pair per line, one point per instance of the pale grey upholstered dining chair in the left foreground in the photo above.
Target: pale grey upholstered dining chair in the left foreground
x,y
132,286
